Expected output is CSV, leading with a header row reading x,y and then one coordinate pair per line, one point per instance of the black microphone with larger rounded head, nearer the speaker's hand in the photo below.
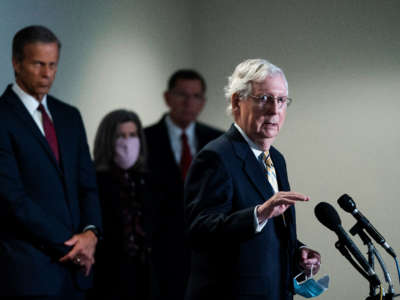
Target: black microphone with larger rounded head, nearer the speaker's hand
x,y
329,217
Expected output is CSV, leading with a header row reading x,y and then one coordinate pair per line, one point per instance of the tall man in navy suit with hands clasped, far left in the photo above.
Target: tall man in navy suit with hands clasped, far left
x,y
49,211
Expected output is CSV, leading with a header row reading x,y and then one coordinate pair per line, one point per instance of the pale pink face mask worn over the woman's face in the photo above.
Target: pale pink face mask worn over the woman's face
x,y
126,152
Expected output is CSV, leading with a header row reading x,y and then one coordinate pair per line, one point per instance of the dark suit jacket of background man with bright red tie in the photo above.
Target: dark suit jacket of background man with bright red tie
x,y
170,253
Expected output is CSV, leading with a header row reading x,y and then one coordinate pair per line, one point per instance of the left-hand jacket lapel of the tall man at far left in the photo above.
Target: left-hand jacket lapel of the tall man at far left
x,y
23,114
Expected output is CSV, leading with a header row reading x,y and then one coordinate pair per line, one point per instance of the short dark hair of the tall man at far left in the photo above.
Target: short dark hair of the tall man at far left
x,y
30,35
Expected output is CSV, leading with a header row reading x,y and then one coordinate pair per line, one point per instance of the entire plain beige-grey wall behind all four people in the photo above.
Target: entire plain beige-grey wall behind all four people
x,y
341,58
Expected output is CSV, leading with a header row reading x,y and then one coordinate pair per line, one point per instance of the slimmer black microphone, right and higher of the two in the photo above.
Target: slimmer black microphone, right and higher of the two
x,y
348,204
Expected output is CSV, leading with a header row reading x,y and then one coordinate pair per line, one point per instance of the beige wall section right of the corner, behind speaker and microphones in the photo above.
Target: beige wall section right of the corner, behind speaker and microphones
x,y
342,61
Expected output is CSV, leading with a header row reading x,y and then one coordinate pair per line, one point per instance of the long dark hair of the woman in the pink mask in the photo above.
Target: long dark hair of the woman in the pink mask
x,y
106,135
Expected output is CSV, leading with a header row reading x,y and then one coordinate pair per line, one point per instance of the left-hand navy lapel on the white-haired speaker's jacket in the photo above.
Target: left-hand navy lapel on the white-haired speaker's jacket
x,y
251,166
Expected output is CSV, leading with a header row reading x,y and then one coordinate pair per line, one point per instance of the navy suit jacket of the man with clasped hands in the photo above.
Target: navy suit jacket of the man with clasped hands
x,y
42,204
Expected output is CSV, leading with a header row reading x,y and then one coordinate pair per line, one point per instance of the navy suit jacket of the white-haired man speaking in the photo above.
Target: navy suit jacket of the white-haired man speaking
x,y
230,260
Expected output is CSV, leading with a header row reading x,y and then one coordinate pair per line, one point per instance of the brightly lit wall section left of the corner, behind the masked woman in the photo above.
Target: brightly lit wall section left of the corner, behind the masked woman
x,y
115,54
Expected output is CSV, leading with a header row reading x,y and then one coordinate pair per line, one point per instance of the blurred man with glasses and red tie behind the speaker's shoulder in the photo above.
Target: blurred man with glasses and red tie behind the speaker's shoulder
x,y
172,143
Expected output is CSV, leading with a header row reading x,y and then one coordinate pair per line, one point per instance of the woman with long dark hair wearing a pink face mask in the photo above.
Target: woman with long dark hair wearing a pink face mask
x,y
123,260
